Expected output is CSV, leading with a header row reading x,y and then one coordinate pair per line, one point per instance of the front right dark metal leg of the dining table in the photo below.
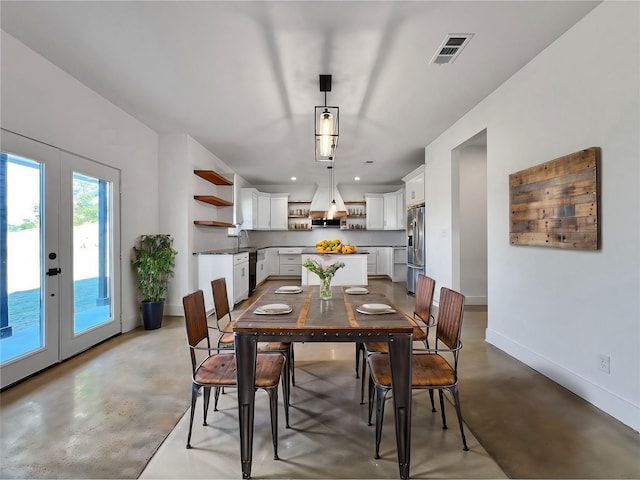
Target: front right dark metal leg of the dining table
x,y
400,363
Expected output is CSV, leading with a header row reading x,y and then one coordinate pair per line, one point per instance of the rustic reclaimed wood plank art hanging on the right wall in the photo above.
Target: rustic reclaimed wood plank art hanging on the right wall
x,y
555,204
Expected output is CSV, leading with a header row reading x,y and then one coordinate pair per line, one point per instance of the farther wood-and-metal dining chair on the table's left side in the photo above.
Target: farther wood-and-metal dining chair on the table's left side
x,y
226,337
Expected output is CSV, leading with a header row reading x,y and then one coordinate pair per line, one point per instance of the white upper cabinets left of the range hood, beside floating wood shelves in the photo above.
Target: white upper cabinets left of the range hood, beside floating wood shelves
x,y
264,211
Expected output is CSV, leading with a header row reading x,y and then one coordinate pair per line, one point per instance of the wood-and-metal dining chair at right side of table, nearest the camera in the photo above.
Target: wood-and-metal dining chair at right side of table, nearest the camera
x,y
429,367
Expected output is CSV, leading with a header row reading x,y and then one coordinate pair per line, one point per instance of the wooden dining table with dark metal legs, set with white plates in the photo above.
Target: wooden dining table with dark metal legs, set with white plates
x,y
299,315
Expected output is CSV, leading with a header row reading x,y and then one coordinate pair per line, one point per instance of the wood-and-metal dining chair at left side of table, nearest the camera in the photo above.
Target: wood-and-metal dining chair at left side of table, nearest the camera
x,y
218,368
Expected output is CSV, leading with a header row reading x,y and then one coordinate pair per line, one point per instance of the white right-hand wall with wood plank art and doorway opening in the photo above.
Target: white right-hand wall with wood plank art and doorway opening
x,y
557,310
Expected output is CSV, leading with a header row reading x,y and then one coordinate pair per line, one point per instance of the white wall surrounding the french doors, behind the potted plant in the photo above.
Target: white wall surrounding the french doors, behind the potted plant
x,y
42,102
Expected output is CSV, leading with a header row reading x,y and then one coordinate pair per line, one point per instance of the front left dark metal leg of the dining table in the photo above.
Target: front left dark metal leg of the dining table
x,y
246,349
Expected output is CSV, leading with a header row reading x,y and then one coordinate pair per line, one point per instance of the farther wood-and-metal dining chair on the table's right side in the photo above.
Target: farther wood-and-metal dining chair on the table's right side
x,y
425,289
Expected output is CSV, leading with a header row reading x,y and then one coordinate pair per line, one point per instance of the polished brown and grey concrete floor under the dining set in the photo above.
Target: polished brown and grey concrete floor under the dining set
x,y
106,412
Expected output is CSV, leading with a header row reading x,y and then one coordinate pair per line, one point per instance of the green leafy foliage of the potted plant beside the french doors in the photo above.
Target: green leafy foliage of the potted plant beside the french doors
x,y
154,259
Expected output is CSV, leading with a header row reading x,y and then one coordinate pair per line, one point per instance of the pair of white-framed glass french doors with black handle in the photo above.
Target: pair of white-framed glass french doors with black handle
x,y
59,244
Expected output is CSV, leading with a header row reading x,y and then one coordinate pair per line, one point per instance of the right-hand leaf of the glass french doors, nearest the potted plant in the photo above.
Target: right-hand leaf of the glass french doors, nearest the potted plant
x,y
88,238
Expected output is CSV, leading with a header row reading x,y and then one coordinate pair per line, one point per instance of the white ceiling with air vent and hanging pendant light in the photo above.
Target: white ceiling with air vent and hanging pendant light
x,y
242,77
